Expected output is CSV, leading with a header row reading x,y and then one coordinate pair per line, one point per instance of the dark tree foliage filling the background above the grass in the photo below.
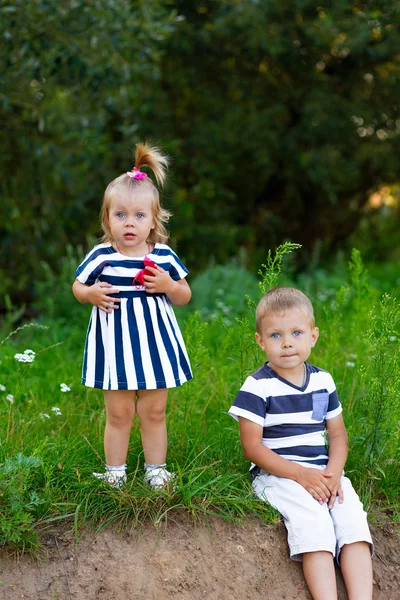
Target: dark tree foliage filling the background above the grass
x,y
282,119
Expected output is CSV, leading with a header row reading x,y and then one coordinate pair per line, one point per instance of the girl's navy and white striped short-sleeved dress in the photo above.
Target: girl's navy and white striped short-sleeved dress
x,y
138,346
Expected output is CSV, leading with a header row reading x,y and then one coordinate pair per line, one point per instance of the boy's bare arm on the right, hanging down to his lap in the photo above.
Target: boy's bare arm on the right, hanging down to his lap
x,y
338,450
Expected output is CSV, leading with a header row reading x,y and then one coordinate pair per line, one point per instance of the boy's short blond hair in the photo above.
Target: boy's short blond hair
x,y
279,300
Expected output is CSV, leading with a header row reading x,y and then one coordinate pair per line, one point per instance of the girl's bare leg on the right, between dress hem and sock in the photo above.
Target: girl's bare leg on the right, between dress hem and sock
x,y
150,408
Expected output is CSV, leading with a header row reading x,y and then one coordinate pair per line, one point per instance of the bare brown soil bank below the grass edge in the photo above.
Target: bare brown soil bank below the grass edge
x,y
213,560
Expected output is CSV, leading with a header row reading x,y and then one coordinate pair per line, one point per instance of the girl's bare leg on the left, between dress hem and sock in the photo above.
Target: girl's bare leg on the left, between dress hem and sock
x,y
120,410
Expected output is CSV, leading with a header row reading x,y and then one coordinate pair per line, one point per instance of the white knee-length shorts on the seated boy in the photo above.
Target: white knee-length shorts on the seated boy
x,y
311,526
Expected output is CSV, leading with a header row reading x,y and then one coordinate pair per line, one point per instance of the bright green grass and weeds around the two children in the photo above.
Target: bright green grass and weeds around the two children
x,y
47,458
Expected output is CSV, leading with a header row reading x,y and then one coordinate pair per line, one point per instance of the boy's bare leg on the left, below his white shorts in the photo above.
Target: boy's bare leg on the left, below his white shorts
x,y
319,573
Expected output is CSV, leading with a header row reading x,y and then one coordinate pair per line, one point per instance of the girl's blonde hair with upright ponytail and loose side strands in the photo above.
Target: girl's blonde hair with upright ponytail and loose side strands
x,y
146,155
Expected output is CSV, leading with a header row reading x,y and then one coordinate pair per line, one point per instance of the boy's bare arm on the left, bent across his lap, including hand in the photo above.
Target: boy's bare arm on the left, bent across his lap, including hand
x,y
315,481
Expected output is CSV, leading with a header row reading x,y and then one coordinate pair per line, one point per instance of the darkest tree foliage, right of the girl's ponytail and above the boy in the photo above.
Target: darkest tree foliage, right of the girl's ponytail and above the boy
x,y
287,116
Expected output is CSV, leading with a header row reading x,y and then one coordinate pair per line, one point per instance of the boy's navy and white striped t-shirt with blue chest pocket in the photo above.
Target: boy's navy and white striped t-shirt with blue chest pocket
x,y
293,418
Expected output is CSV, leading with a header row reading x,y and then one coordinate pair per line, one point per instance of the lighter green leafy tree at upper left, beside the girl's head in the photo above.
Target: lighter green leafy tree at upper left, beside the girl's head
x,y
78,81
